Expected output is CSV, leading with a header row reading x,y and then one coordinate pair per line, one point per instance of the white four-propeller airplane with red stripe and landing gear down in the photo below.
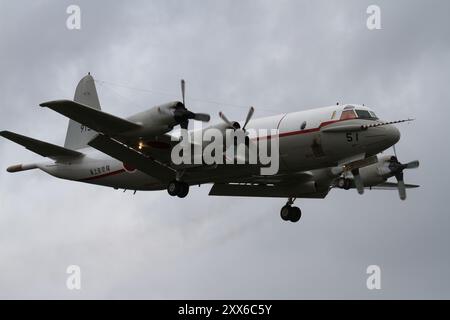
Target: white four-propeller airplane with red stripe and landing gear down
x,y
334,147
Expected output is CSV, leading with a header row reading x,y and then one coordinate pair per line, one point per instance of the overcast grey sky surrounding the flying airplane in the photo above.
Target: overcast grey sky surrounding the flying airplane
x,y
280,56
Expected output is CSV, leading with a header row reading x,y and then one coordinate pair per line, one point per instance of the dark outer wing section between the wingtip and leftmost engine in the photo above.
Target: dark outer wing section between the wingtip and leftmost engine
x,y
92,118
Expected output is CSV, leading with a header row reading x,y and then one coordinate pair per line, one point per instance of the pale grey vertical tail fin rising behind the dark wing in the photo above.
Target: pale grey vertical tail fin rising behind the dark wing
x,y
78,135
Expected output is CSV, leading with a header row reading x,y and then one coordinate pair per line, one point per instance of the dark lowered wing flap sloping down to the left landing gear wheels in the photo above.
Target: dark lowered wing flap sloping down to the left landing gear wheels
x,y
132,158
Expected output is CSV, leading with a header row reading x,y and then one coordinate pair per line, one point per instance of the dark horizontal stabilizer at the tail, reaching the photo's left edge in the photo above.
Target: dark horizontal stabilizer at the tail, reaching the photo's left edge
x,y
40,147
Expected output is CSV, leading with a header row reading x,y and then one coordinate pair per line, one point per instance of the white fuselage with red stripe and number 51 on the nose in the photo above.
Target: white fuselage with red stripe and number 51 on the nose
x,y
303,146
